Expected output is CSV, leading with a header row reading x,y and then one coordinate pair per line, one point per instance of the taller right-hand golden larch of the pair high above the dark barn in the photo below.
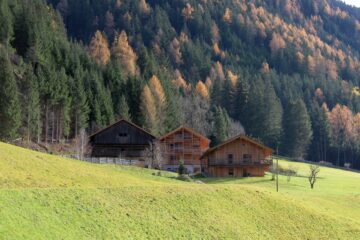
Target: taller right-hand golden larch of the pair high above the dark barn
x,y
123,53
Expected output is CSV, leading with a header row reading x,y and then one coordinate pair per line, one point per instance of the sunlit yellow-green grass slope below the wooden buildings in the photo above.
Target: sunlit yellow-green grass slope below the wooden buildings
x,y
47,197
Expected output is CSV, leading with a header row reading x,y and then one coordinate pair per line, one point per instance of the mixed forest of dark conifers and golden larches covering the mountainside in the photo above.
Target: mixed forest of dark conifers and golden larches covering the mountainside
x,y
284,72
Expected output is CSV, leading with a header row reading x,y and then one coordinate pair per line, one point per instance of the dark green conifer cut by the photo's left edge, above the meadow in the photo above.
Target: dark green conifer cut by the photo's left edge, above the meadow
x,y
10,112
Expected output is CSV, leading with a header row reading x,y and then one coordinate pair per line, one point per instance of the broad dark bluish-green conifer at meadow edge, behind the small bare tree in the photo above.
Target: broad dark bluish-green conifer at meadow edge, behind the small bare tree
x,y
297,130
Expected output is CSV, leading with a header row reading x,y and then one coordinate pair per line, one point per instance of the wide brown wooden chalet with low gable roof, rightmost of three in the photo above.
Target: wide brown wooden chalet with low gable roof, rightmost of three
x,y
240,156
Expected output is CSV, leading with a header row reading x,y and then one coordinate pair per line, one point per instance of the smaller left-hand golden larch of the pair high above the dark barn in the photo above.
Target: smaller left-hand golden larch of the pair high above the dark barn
x,y
99,49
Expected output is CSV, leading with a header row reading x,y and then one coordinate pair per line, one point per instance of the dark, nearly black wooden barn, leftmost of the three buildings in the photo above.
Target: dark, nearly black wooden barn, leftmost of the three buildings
x,y
123,140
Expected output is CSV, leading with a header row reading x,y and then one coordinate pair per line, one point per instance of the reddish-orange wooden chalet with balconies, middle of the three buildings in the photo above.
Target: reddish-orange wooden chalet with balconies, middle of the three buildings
x,y
183,144
